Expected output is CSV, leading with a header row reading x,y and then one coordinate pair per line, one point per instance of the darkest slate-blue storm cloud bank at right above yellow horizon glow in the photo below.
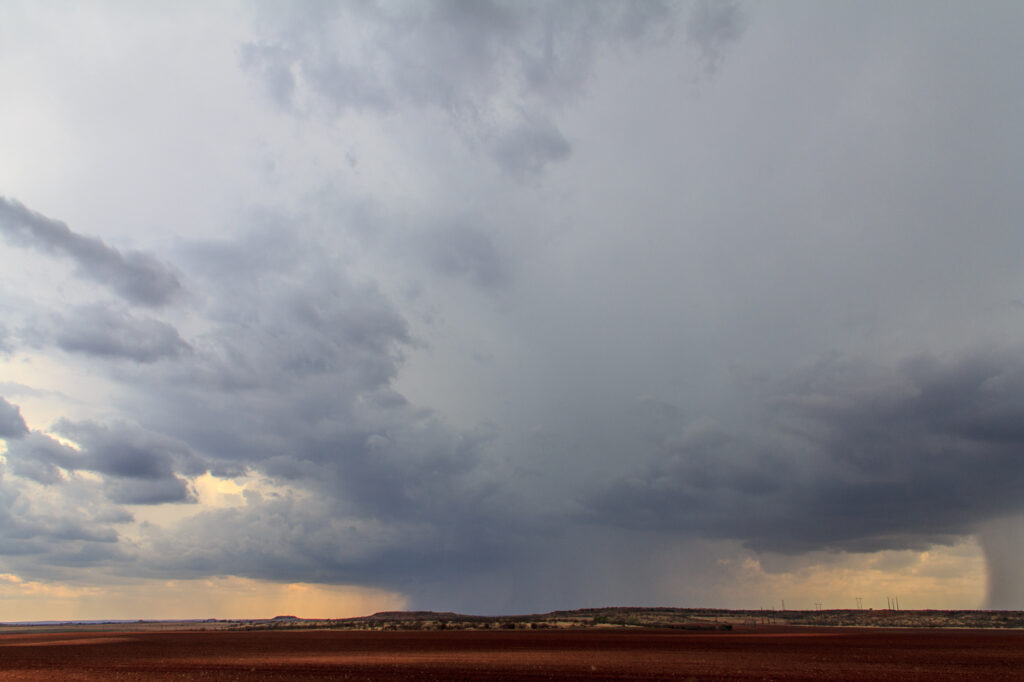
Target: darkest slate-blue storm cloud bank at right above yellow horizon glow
x,y
847,457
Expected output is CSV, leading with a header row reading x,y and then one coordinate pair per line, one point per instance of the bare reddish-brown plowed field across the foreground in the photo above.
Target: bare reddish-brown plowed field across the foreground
x,y
764,654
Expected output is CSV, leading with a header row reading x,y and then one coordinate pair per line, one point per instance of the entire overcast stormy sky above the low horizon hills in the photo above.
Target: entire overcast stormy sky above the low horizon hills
x,y
506,308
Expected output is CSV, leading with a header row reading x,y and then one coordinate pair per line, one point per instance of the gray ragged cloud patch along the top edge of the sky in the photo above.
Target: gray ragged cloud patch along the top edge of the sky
x,y
495,68
